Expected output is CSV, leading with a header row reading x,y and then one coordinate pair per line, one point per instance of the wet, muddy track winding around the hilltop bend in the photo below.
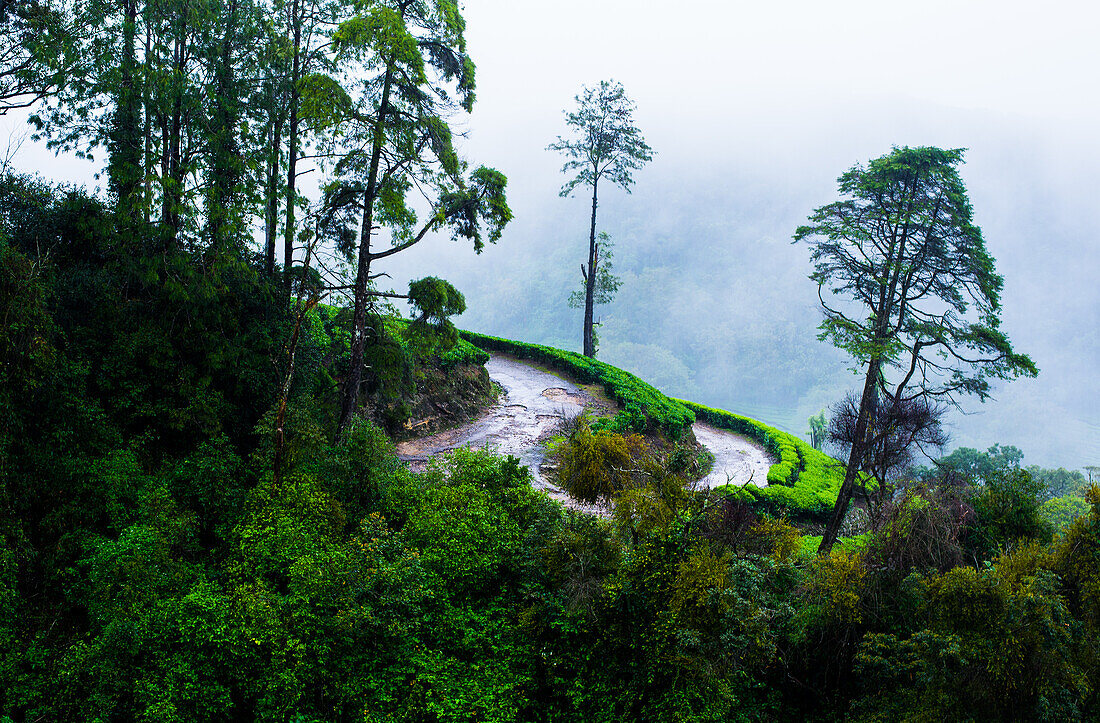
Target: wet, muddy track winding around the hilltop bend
x,y
534,404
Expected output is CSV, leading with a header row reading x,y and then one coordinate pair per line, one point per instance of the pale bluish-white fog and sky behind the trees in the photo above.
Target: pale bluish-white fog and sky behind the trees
x,y
754,111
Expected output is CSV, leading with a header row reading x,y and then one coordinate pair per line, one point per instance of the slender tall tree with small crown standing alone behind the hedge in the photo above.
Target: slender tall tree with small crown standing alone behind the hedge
x,y
606,146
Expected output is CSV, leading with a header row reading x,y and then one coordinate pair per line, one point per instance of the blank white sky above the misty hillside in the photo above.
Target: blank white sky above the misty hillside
x,y
696,63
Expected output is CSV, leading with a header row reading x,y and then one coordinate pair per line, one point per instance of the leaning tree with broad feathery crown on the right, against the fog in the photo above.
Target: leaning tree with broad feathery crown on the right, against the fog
x,y
920,295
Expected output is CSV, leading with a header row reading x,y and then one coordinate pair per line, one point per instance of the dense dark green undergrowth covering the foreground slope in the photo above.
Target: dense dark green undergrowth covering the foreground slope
x,y
156,568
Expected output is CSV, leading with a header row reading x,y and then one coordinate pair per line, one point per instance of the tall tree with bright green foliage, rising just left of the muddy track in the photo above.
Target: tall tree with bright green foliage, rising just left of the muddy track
x,y
387,112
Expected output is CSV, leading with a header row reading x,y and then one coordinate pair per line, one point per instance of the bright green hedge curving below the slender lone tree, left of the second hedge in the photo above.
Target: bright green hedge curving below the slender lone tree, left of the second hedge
x,y
641,402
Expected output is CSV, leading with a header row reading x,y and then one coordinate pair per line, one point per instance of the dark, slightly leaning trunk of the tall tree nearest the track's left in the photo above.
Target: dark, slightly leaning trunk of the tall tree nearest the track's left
x,y
359,320
